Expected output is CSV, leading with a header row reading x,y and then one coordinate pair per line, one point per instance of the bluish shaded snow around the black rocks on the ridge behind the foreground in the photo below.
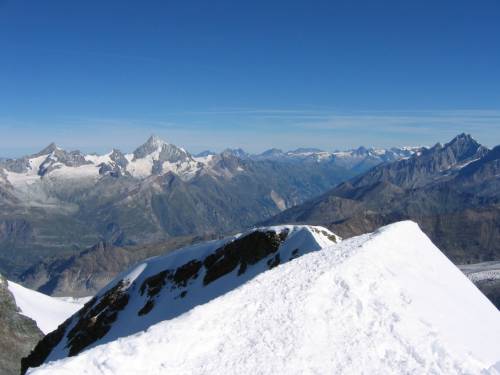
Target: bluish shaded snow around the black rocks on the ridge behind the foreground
x,y
170,303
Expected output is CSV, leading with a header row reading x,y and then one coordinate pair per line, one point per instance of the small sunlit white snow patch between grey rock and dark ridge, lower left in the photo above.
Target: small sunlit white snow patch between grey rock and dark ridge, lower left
x,y
48,312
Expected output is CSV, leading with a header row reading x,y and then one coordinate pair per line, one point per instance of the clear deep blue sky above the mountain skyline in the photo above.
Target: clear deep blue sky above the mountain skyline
x,y
215,74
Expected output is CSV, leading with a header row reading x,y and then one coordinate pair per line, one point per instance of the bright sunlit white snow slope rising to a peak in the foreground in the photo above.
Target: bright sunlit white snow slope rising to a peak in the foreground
x,y
384,303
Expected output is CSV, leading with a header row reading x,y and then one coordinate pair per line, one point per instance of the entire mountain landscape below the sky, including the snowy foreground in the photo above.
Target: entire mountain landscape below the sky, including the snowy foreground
x,y
302,261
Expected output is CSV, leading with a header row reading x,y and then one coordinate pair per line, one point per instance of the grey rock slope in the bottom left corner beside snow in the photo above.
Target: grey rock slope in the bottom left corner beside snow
x,y
18,333
